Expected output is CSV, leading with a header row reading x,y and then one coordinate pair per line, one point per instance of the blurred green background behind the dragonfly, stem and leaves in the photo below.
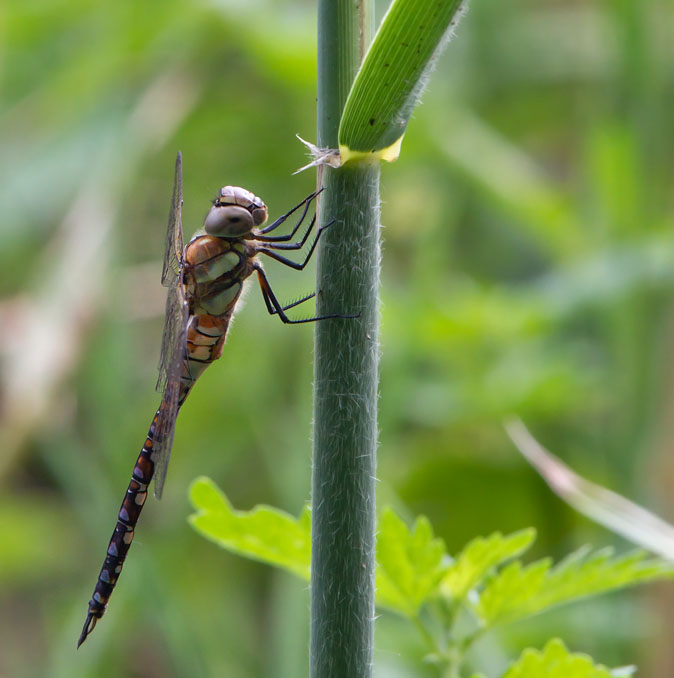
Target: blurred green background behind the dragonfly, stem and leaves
x,y
528,268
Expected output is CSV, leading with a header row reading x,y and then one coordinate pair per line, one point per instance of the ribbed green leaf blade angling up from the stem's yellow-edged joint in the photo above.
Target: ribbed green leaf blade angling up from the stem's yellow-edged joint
x,y
393,75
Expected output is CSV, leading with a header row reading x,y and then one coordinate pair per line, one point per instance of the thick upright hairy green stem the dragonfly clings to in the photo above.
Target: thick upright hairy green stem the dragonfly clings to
x,y
346,373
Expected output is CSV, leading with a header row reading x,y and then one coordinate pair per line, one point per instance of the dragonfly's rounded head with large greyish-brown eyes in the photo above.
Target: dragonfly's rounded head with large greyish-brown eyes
x,y
235,213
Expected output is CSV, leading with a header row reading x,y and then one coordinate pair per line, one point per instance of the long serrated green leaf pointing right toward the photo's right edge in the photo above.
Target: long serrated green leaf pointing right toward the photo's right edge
x,y
518,591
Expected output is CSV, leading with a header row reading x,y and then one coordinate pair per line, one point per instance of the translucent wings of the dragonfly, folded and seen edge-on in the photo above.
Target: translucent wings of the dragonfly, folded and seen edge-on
x,y
173,348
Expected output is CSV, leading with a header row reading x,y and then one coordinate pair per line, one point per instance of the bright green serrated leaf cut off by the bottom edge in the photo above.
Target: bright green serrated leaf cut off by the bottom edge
x,y
555,661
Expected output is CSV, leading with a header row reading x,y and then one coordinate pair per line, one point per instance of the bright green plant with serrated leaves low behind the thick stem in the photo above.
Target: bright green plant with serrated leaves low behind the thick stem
x,y
452,602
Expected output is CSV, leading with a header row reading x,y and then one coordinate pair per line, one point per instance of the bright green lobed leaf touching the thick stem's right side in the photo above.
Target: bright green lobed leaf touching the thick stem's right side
x,y
410,563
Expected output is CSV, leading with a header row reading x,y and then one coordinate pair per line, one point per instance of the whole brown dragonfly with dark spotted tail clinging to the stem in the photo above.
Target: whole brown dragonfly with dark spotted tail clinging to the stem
x,y
204,281
